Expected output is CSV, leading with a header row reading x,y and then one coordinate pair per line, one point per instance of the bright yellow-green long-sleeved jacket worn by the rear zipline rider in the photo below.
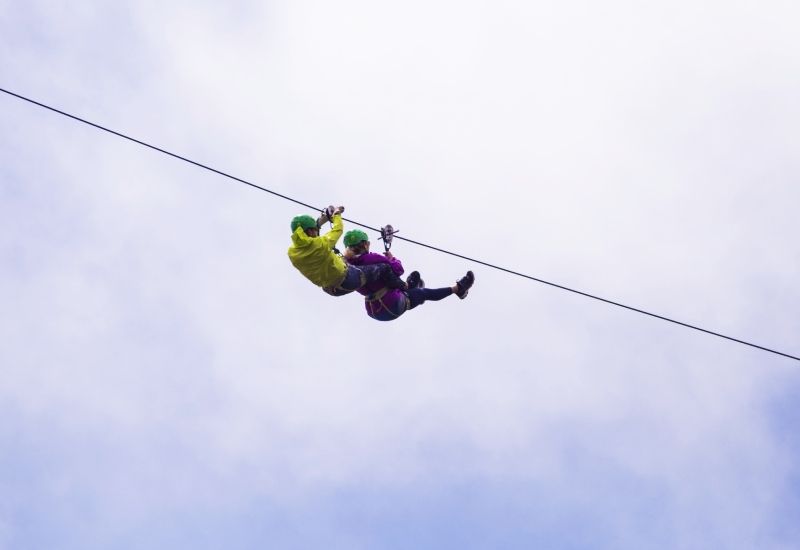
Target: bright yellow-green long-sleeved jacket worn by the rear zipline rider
x,y
314,256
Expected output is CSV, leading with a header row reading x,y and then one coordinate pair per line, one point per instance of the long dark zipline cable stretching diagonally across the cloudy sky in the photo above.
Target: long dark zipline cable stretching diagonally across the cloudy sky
x,y
214,170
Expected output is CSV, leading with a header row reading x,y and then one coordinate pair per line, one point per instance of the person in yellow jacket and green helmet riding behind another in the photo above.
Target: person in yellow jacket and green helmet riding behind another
x,y
318,260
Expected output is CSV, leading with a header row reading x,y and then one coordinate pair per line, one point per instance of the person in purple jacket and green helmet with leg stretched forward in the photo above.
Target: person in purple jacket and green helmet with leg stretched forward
x,y
385,304
